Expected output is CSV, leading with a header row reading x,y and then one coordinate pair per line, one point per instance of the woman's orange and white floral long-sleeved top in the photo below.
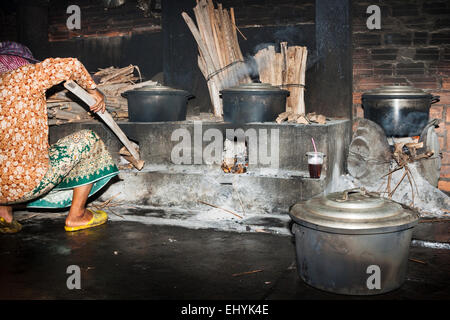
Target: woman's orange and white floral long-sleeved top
x,y
23,122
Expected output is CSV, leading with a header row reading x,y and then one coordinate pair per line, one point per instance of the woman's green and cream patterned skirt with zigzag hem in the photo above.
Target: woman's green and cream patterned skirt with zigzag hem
x,y
76,160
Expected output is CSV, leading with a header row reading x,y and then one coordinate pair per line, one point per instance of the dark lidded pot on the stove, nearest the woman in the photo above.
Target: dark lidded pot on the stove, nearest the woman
x,y
157,103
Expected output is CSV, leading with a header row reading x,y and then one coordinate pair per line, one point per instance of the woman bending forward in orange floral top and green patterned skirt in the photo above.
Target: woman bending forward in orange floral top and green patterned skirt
x,y
62,175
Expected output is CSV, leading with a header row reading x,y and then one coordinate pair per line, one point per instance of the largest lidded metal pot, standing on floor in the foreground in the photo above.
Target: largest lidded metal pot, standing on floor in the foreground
x,y
344,239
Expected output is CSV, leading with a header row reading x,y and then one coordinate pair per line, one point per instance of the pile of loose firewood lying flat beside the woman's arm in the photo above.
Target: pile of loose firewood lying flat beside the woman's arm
x,y
112,82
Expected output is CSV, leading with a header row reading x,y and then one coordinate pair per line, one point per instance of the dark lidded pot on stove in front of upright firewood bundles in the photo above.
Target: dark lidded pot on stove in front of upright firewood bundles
x,y
253,102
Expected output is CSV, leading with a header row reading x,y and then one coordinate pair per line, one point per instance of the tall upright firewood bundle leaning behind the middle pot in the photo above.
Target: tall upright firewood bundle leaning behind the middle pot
x,y
220,58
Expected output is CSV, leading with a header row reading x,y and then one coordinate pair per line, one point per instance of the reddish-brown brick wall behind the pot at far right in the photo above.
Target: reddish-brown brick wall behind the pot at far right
x,y
411,48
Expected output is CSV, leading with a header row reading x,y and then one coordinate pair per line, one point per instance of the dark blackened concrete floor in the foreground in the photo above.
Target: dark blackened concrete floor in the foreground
x,y
131,260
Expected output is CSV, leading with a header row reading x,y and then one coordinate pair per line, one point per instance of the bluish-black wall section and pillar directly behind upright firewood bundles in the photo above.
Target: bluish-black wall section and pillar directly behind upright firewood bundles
x,y
270,22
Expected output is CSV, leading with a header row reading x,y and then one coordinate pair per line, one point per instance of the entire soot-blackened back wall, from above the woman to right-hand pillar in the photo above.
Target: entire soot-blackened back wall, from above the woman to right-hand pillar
x,y
125,35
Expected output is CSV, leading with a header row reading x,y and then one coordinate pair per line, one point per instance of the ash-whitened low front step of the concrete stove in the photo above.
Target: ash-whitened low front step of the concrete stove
x,y
258,191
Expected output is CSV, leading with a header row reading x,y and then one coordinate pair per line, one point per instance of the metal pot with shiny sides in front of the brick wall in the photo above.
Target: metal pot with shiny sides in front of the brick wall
x,y
402,111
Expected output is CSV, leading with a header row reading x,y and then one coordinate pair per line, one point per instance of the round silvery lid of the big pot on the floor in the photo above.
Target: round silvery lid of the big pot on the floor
x,y
353,213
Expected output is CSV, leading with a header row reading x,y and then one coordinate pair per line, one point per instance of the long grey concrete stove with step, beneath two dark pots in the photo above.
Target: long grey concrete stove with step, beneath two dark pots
x,y
181,169
